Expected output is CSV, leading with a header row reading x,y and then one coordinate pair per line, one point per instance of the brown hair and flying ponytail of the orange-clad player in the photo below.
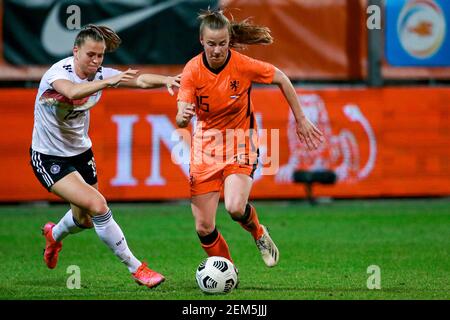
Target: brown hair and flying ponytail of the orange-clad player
x,y
241,33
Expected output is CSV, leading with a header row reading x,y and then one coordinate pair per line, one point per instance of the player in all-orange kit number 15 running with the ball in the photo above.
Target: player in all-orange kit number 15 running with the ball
x,y
216,86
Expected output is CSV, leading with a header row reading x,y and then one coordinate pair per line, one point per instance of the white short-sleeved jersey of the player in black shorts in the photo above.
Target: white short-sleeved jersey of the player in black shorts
x,y
61,125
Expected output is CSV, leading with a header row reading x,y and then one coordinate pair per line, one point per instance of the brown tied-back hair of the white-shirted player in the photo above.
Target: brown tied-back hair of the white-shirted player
x,y
98,33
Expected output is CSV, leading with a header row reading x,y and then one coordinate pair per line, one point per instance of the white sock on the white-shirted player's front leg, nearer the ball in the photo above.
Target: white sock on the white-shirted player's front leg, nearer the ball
x,y
109,231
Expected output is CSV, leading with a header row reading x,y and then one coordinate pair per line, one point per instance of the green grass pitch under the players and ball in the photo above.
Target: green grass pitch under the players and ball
x,y
325,252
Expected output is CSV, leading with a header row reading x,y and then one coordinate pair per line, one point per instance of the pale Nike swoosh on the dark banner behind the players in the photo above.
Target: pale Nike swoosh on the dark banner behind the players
x,y
58,40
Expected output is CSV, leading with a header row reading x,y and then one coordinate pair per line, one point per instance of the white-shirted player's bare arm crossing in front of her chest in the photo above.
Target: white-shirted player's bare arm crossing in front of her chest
x,y
82,90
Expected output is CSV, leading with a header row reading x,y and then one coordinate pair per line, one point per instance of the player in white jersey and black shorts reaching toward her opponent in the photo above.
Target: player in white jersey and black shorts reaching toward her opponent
x,y
61,154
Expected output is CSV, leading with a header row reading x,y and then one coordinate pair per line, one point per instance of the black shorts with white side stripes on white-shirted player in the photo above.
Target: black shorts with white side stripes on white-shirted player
x,y
49,169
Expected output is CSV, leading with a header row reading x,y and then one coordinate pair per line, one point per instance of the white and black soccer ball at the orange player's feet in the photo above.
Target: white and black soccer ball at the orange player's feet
x,y
216,275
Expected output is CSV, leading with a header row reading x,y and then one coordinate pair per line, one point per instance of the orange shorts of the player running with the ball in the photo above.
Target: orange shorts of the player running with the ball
x,y
211,179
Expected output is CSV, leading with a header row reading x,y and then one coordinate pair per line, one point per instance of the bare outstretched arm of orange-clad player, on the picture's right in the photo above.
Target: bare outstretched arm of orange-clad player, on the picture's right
x,y
307,132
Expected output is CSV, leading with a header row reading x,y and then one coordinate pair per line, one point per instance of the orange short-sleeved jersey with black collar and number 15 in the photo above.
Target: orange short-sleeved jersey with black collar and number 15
x,y
222,99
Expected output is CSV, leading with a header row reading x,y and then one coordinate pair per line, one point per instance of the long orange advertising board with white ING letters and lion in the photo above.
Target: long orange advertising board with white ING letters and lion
x,y
380,142
